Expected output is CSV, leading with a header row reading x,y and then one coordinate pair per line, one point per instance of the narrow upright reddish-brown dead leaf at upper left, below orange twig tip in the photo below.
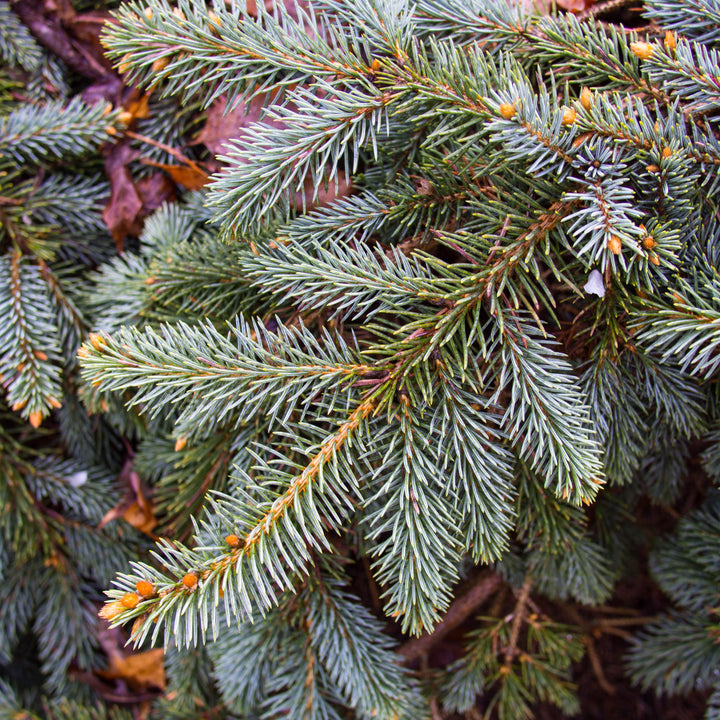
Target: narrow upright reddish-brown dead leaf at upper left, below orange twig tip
x,y
121,214
